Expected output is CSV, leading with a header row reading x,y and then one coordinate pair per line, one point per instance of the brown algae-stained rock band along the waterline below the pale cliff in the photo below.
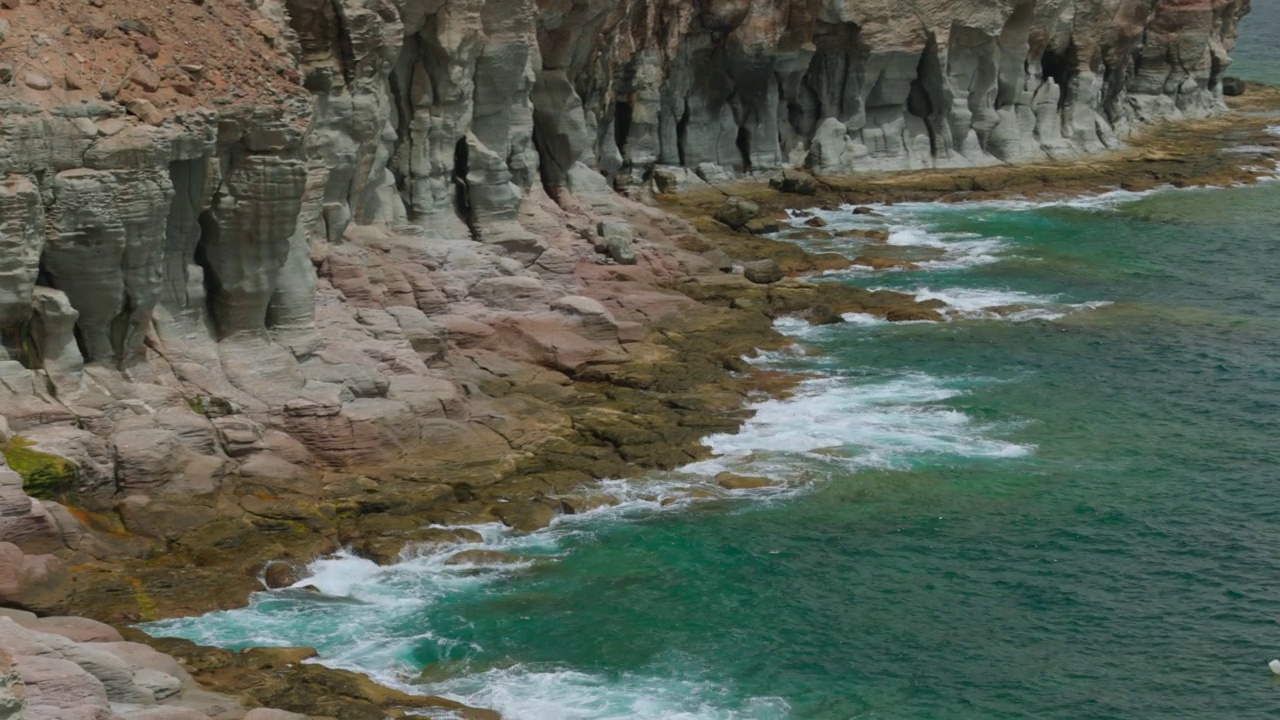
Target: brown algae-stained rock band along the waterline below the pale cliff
x,y
683,381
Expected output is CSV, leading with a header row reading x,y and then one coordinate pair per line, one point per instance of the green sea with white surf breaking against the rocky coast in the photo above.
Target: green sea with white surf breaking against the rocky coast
x,y
1063,503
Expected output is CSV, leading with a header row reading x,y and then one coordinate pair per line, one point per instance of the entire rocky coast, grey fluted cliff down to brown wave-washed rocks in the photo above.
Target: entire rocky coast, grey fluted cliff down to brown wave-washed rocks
x,y
289,277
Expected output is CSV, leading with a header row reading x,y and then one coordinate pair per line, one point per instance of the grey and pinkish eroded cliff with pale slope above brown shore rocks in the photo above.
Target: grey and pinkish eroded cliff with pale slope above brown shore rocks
x,y
241,243
